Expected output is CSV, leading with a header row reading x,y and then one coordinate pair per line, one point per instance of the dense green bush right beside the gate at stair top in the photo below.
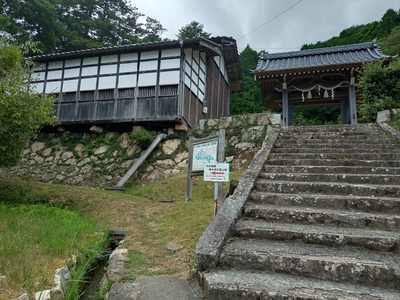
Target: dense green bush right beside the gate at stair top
x,y
380,87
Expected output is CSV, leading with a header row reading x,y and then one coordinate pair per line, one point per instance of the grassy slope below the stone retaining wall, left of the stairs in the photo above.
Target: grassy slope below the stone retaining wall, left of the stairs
x,y
151,225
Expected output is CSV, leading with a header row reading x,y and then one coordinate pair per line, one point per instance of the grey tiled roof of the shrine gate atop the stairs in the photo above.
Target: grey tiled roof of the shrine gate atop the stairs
x,y
324,58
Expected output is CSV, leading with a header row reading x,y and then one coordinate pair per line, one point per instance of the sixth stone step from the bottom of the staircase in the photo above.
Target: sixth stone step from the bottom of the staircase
x,y
329,188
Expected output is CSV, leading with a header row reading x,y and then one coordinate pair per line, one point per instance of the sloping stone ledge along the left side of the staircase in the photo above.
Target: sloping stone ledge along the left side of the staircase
x,y
210,244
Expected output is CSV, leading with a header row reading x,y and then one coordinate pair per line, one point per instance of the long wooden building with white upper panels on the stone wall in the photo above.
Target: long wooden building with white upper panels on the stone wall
x,y
161,84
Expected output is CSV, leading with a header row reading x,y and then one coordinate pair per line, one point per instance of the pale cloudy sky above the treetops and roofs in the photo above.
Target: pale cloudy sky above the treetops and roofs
x,y
271,25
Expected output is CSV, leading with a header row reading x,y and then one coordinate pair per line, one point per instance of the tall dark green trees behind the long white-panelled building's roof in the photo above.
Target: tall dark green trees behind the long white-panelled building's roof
x,y
65,25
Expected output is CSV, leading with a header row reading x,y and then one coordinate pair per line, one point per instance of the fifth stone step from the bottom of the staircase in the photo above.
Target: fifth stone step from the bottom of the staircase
x,y
363,203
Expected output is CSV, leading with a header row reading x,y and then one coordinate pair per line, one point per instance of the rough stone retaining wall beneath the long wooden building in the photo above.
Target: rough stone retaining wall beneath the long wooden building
x,y
101,159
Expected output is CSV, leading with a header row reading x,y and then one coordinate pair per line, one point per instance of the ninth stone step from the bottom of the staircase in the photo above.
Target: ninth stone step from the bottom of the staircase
x,y
337,156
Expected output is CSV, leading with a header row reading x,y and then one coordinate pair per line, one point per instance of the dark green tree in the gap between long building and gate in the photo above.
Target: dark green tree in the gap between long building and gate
x,y
250,100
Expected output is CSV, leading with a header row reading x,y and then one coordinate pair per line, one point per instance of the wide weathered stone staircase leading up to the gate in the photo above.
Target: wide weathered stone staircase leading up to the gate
x,y
321,222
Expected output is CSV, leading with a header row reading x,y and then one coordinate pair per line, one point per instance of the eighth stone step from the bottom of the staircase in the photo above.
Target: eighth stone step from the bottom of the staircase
x,y
334,162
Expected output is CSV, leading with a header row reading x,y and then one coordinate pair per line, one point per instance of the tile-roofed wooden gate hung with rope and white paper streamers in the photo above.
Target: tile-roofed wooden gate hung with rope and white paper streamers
x,y
317,77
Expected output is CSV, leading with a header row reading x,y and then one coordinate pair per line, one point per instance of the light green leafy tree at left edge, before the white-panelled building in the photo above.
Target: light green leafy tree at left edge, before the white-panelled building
x,y
22,111
